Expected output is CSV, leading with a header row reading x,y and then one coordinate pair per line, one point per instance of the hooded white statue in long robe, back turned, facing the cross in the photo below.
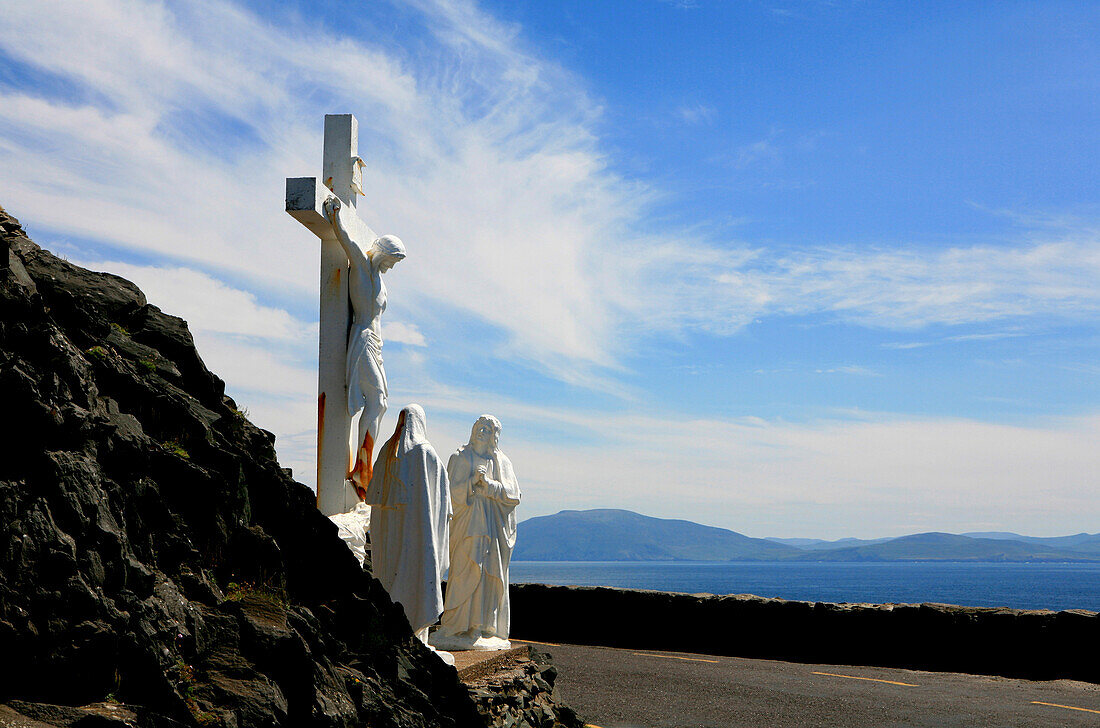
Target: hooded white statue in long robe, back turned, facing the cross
x,y
411,509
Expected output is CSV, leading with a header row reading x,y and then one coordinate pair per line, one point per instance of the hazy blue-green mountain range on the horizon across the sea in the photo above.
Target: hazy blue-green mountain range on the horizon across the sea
x,y
611,535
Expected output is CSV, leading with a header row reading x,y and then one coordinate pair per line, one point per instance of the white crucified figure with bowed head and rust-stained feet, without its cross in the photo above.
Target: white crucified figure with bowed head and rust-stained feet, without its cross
x,y
366,377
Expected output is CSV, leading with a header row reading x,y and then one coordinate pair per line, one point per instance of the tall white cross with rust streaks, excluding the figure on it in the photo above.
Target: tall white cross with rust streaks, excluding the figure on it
x,y
305,201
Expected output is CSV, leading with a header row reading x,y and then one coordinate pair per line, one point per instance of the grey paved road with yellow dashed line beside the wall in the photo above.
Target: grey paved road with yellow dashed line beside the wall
x,y
630,689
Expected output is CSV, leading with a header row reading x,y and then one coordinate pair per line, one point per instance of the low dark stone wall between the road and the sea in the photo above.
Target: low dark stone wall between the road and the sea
x,y
1035,645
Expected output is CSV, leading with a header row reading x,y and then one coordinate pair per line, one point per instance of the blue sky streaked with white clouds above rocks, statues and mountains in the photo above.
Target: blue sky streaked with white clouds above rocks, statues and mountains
x,y
793,269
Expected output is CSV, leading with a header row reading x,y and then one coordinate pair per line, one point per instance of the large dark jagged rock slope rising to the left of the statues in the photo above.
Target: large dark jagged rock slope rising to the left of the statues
x,y
153,554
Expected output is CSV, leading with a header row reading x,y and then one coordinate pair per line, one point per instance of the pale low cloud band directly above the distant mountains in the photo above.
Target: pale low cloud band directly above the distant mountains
x,y
857,475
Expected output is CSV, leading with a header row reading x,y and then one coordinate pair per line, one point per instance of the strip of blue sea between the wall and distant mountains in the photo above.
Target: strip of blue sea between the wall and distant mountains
x,y
1022,587
